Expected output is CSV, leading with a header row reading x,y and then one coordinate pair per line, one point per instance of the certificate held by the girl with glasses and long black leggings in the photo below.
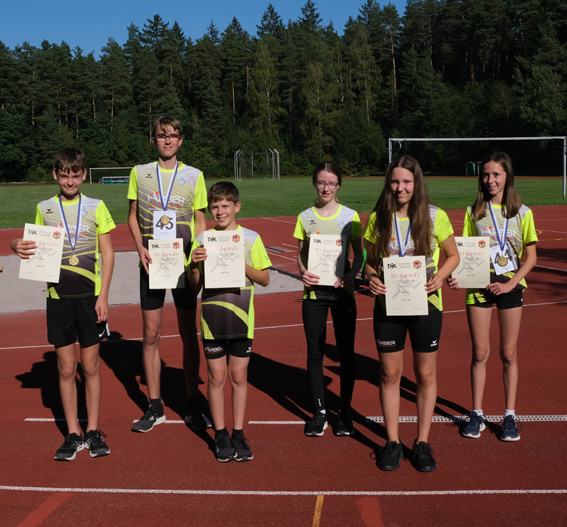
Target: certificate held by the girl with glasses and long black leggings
x,y
327,257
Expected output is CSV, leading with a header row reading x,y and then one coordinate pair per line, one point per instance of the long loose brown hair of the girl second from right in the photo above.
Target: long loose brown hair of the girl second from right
x,y
418,211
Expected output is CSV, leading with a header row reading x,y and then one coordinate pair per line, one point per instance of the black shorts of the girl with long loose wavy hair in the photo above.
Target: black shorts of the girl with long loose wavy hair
x,y
390,332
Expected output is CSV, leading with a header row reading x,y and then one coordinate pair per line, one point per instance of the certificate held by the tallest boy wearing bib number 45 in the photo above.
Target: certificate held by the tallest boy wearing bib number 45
x,y
167,270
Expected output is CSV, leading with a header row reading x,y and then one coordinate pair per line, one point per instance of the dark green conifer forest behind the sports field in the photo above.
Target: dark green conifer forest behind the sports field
x,y
446,68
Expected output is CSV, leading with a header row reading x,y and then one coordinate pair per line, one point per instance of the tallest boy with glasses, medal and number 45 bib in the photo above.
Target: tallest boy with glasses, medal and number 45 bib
x,y
167,195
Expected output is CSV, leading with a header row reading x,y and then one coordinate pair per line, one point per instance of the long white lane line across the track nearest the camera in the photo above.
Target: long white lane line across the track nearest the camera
x,y
203,492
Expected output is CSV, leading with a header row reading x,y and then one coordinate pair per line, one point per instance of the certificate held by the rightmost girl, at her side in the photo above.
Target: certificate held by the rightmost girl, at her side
x,y
473,270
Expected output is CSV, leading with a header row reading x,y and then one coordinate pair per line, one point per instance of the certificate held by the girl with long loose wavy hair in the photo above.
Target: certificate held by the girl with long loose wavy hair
x,y
405,279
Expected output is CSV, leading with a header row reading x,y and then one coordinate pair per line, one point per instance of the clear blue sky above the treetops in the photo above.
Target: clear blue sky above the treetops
x,y
90,24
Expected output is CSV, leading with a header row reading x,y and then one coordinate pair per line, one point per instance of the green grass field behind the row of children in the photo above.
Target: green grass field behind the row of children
x,y
284,197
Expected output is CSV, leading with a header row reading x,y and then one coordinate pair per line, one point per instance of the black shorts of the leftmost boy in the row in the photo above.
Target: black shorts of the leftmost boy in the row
x,y
68,319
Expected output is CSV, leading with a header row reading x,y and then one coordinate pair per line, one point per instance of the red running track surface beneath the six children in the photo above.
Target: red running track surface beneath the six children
x,y
169,476
